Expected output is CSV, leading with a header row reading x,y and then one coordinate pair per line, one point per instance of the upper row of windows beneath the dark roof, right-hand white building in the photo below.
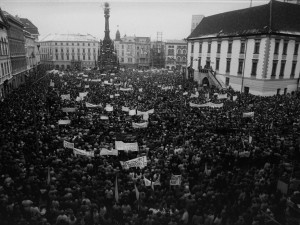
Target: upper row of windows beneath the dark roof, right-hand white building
x,y
256,47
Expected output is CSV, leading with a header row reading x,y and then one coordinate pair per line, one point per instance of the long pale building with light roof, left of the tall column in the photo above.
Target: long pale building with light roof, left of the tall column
x,y
69,51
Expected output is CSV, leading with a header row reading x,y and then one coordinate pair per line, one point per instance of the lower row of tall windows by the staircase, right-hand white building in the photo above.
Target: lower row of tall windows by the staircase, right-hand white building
x,y
254,66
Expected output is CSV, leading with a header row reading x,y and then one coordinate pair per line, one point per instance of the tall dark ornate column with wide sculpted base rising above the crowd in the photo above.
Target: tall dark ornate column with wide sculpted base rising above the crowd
x,y
108,61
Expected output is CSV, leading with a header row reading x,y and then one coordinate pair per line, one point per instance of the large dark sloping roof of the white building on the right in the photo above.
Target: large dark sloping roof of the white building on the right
x,y
284,19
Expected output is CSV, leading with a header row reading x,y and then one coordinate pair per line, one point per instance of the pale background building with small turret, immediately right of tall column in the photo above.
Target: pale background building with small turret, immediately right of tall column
x,y
133,52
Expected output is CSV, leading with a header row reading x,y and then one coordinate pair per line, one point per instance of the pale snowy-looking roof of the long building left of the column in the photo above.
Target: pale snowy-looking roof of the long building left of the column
x,y
69,37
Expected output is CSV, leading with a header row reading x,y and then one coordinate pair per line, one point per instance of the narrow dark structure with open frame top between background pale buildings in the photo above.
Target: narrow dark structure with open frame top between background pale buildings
x,y
158,52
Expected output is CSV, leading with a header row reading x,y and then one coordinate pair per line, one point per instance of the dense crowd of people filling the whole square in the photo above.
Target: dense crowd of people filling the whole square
x,y
233,169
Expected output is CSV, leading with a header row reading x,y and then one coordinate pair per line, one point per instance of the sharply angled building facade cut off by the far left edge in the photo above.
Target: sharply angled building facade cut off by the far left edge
x,y
5,63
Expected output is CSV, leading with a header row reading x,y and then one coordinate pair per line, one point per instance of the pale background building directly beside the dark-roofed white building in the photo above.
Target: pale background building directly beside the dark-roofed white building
x,y
176,54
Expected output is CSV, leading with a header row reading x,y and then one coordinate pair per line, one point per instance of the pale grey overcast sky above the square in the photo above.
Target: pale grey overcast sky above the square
x,y
134,17
